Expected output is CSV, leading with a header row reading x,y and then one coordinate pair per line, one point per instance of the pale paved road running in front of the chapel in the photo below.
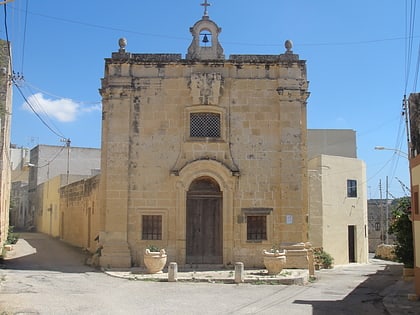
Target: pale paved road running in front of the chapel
x,y
54,280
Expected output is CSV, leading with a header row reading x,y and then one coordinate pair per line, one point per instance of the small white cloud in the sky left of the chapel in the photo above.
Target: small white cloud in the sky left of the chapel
x,y
63,110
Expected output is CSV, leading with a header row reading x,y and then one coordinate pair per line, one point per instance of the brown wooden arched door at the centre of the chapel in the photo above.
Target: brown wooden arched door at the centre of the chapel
x,y
204,222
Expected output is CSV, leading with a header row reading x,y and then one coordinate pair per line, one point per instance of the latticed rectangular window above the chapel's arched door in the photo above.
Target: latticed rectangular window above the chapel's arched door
x,y
205,125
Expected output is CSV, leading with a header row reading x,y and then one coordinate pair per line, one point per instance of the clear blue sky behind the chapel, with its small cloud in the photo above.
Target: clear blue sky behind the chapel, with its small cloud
x,y
360,63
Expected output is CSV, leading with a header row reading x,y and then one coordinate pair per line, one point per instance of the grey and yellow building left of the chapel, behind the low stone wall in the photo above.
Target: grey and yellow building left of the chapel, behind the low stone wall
x,y
50,168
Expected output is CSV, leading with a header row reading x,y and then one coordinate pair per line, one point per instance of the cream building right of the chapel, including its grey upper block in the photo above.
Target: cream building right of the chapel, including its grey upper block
x,y
337,196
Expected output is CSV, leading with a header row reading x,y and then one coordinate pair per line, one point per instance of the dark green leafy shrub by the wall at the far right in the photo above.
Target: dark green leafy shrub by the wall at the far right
x,y
401,227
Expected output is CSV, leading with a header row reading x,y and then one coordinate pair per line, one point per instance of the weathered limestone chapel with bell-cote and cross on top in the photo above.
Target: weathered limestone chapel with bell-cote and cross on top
x,y
202,155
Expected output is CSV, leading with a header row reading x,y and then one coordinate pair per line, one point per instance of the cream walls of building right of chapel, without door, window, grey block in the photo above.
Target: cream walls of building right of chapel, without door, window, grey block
x,y
331,211
